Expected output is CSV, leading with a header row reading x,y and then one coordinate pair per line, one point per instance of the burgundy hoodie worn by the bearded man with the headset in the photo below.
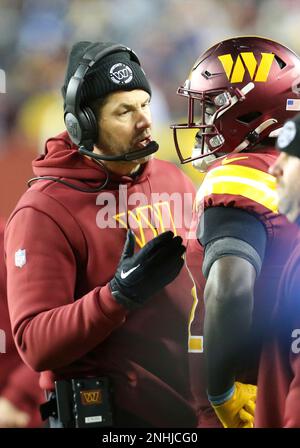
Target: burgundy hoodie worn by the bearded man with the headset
x,y
65,321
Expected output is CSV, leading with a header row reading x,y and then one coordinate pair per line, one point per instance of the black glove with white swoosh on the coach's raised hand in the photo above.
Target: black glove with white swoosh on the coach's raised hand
x,y
141,275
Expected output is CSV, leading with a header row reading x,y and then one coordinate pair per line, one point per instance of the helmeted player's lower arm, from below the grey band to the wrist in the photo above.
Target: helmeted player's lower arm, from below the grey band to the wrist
x,y
229,300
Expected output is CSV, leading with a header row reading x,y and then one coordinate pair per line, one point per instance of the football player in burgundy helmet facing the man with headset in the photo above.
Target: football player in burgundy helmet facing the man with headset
x,y
240,92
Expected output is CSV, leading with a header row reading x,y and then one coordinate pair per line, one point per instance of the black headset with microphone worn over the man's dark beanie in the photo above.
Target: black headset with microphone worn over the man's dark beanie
x,y
81,122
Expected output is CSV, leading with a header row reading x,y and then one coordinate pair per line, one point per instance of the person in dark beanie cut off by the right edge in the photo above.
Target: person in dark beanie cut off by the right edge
x,y
278,398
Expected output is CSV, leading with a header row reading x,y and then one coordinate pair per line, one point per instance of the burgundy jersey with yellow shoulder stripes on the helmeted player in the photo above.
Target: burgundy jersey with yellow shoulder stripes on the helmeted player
x,y
240,181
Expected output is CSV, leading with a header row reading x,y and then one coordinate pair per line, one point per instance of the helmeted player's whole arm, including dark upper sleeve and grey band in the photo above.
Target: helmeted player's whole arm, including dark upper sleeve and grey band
x,y
234,242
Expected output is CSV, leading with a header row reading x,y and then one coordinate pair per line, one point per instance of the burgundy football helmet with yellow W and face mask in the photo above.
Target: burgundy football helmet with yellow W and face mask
x,y
239,92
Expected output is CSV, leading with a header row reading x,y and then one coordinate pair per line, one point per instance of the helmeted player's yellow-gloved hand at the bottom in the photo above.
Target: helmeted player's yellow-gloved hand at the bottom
x,y
238,410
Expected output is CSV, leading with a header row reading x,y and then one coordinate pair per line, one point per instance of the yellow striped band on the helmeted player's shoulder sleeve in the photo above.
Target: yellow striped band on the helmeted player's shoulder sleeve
x,y
240,180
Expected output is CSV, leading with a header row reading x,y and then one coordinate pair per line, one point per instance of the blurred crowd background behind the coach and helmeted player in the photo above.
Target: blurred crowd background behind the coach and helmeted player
x,y
168,36
